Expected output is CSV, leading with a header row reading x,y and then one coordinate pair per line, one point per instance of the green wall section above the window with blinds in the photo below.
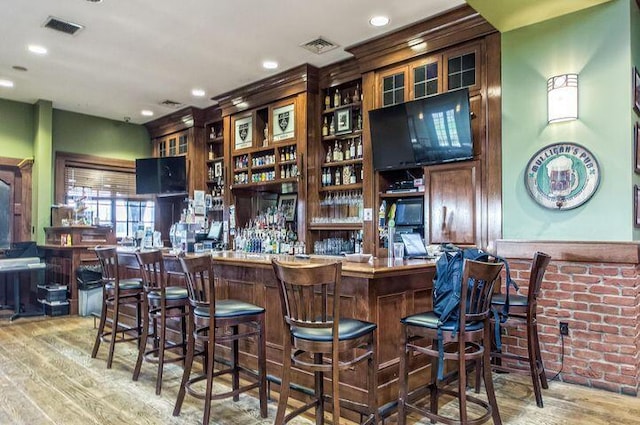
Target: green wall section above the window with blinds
x,y
85,134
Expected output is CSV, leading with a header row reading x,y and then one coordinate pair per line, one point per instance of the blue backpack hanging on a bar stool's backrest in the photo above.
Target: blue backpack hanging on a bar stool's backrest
x,y
447,285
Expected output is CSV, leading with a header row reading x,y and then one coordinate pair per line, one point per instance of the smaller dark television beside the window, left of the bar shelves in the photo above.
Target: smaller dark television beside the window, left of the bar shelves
x,y
161,176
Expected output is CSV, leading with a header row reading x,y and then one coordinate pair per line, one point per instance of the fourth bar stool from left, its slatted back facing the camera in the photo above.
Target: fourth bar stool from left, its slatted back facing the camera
x,y
312,333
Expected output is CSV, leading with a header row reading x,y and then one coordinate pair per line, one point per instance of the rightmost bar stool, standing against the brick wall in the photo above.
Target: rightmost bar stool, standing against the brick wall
x,y
523,312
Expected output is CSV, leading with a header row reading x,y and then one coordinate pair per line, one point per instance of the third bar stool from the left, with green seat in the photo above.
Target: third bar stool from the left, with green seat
x,y
208,315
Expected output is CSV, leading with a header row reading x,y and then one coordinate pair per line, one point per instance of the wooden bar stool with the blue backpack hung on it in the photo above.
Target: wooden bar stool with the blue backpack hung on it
x,y
461,341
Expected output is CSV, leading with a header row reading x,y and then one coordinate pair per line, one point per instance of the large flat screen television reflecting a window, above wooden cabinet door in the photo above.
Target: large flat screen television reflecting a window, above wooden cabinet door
x,y
431,130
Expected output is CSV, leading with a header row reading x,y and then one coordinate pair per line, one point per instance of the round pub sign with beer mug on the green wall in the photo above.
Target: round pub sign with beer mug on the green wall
x,y
562,176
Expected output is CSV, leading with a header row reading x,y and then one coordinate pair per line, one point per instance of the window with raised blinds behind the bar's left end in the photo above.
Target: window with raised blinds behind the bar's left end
x,y
104,195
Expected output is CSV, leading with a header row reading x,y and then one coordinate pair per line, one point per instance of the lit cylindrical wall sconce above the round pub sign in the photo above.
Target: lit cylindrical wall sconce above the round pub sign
x,y
562,97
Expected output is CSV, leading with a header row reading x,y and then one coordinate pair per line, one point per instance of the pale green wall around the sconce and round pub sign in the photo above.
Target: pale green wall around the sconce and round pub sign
x,y
594,43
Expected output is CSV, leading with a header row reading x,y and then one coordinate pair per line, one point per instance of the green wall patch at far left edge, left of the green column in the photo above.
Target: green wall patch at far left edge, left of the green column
x,y
16,129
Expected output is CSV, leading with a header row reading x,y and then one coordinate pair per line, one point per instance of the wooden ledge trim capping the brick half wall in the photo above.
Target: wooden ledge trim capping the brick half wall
x,y
579,251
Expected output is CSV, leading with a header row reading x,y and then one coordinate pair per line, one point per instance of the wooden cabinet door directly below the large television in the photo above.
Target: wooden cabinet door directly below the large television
x,y
453,201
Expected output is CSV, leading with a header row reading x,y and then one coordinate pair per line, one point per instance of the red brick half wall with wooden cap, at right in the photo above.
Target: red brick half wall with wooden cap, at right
x,y
595,288
